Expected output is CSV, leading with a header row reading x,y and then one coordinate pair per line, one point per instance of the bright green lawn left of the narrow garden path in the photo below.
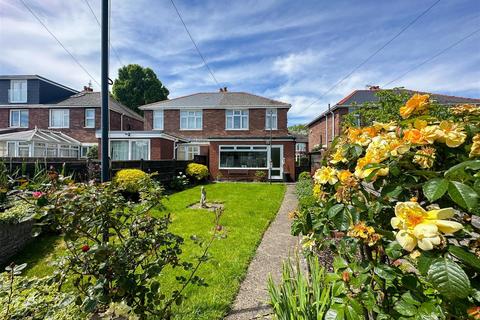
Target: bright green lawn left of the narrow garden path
x,y
249,209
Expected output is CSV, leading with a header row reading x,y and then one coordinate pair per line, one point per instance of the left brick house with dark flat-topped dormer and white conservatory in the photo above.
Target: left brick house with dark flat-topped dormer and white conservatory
x,y
29,102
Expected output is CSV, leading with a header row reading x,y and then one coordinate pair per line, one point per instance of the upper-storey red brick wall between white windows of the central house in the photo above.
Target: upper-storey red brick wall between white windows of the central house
x,y
214,124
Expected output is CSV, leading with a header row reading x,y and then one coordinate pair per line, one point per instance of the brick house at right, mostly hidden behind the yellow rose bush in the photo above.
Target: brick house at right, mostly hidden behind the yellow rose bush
x,y
328,125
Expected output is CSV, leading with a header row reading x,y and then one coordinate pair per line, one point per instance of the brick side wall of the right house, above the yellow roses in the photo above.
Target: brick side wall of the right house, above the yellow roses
x,y
317,136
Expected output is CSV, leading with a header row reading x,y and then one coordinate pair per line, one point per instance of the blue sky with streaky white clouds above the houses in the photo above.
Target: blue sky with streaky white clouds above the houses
x,y
292,51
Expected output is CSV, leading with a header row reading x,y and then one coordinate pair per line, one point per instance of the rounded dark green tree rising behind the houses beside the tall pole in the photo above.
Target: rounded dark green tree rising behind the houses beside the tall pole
x,y
137,86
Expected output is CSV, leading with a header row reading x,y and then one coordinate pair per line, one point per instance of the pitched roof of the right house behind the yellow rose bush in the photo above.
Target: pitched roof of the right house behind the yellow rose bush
x,y
359,97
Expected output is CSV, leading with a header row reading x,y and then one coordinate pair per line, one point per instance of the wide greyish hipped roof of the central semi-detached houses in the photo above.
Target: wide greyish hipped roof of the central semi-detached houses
x,y
217,100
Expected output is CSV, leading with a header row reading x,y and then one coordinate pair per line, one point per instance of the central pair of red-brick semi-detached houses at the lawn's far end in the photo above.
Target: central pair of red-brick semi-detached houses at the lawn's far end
x,y
239,134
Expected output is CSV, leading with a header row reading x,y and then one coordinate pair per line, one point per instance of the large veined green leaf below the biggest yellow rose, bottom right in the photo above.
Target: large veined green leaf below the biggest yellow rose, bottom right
x,y
449,279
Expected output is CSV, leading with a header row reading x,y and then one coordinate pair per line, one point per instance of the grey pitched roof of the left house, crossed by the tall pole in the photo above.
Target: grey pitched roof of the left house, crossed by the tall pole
x,y
94,99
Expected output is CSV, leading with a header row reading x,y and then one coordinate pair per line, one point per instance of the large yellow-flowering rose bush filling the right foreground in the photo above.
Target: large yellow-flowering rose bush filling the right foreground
x,y
404,193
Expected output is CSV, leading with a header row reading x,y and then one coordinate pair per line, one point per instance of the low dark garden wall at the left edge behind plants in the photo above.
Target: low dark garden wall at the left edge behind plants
x,y
13,237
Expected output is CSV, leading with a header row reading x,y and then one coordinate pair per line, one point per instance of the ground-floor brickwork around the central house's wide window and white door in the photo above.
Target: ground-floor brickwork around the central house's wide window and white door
x,y
288,154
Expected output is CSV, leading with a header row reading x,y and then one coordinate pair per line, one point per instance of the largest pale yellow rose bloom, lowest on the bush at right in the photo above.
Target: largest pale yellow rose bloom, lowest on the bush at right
x,y
418,227
